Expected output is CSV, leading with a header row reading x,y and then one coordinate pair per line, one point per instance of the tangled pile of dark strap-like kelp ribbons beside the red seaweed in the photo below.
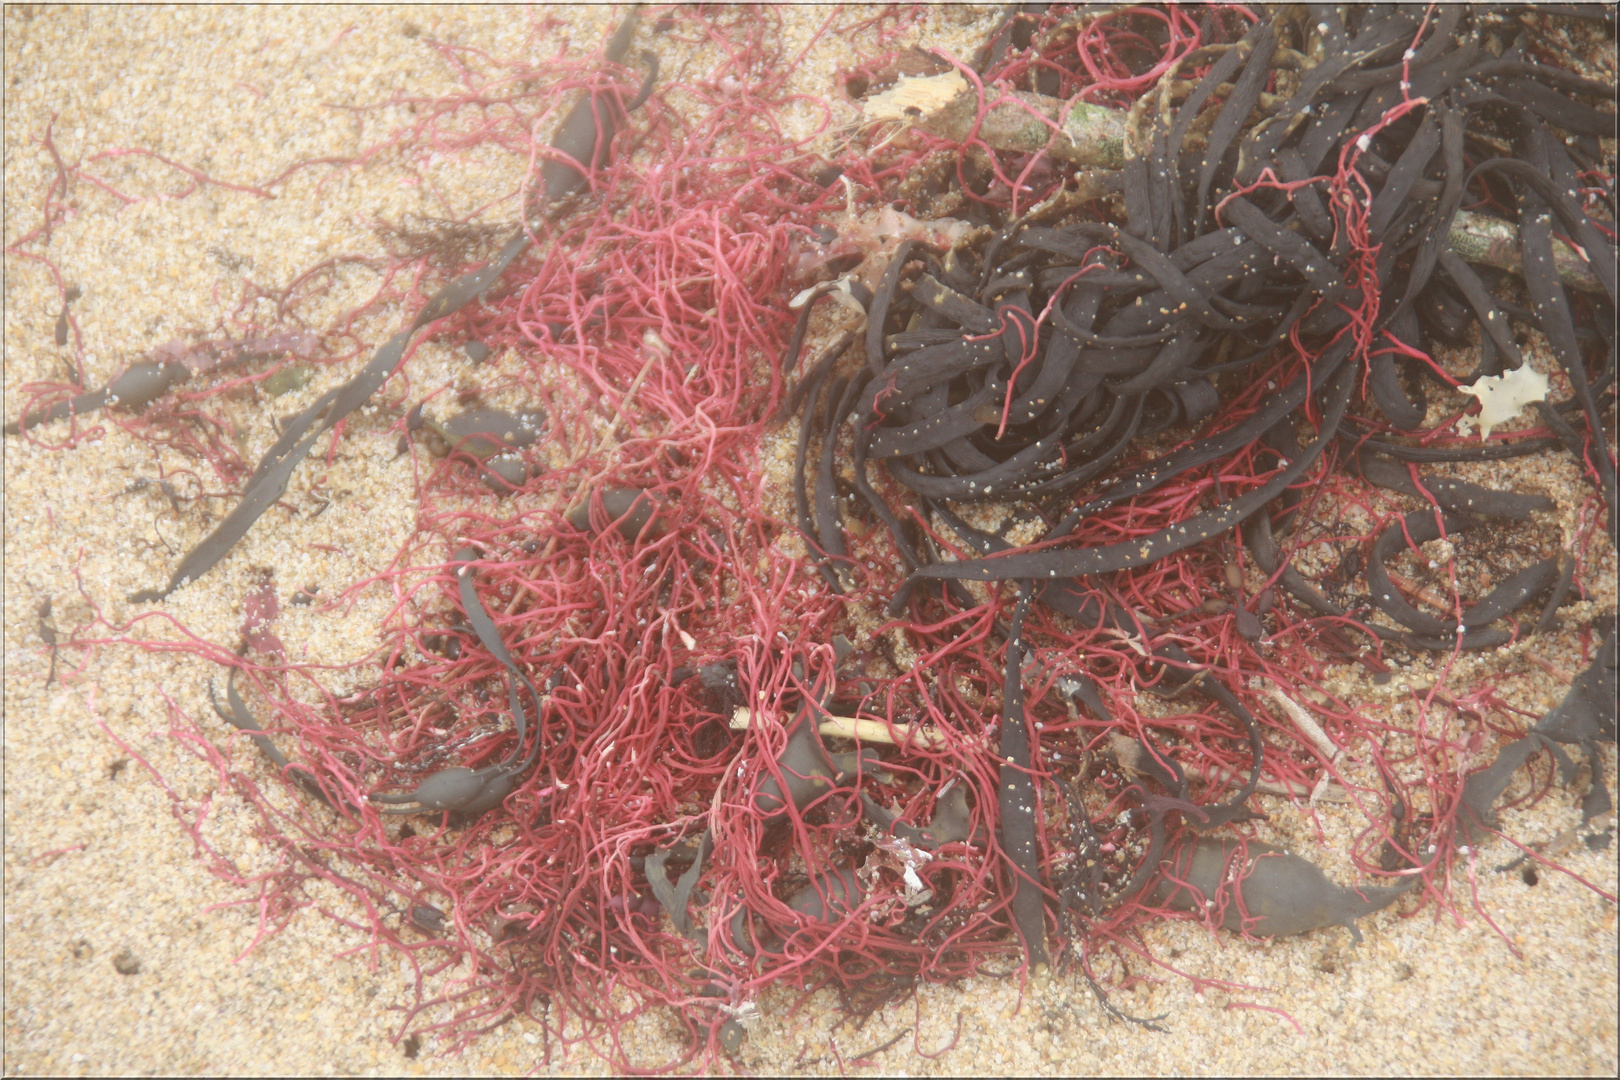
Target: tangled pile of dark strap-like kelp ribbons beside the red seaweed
x,y
1292,234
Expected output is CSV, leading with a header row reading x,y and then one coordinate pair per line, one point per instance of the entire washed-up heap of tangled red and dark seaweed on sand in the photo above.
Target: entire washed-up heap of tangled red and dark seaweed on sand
x,y
1083,464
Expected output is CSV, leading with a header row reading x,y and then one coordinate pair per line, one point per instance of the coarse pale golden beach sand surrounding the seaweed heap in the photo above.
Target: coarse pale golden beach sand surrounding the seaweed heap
x,y
124,955
